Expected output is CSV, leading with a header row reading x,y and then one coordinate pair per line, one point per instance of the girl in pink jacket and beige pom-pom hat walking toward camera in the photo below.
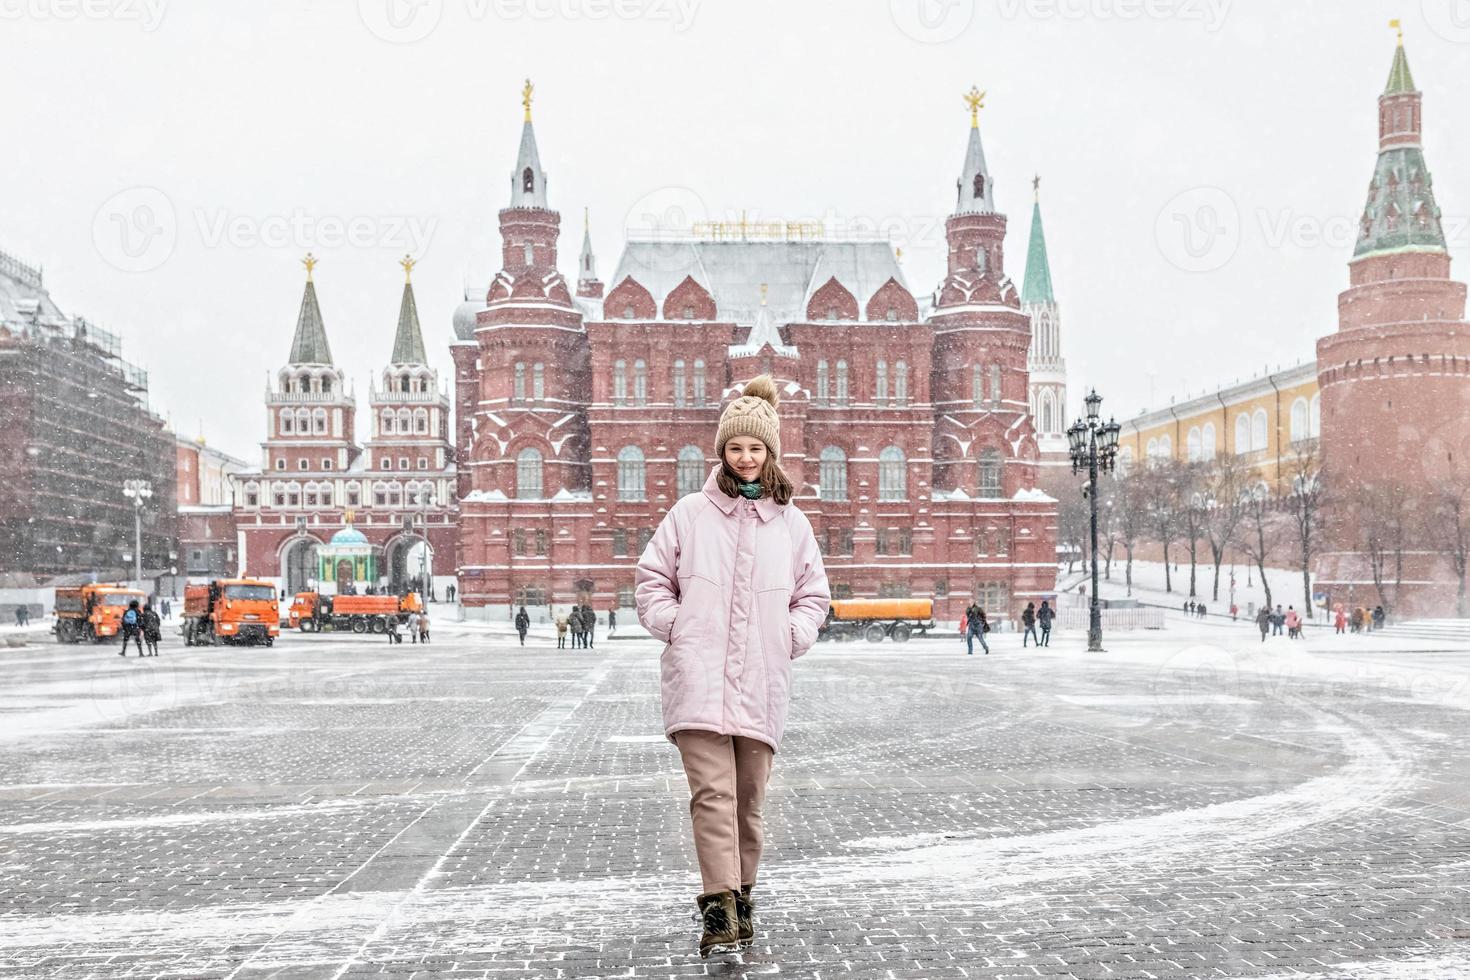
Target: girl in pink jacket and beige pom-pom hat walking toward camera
x,y
733,583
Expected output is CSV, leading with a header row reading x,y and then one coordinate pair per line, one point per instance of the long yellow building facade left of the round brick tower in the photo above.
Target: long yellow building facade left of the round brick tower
x,y
1259,421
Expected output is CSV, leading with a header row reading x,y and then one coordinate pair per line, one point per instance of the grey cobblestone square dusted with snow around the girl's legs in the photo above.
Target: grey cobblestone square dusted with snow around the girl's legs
x,y
1190,804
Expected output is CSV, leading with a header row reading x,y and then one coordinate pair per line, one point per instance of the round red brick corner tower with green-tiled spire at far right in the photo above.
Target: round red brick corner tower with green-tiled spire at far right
x,y
1396,377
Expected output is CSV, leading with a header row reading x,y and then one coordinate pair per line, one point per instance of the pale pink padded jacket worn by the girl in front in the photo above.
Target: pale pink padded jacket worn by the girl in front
x,y
737,591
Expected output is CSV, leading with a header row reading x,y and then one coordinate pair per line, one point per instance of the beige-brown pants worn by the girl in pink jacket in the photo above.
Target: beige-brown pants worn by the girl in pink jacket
x,y
728,777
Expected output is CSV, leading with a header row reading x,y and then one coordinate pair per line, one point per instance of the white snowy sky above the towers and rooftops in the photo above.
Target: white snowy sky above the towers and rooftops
x,y
1203,161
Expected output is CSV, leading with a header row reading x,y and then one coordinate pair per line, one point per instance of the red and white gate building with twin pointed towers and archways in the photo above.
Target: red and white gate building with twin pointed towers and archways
x,y
398,490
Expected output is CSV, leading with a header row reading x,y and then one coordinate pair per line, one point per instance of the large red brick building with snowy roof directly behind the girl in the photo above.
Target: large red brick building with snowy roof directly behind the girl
x,y
584,414
